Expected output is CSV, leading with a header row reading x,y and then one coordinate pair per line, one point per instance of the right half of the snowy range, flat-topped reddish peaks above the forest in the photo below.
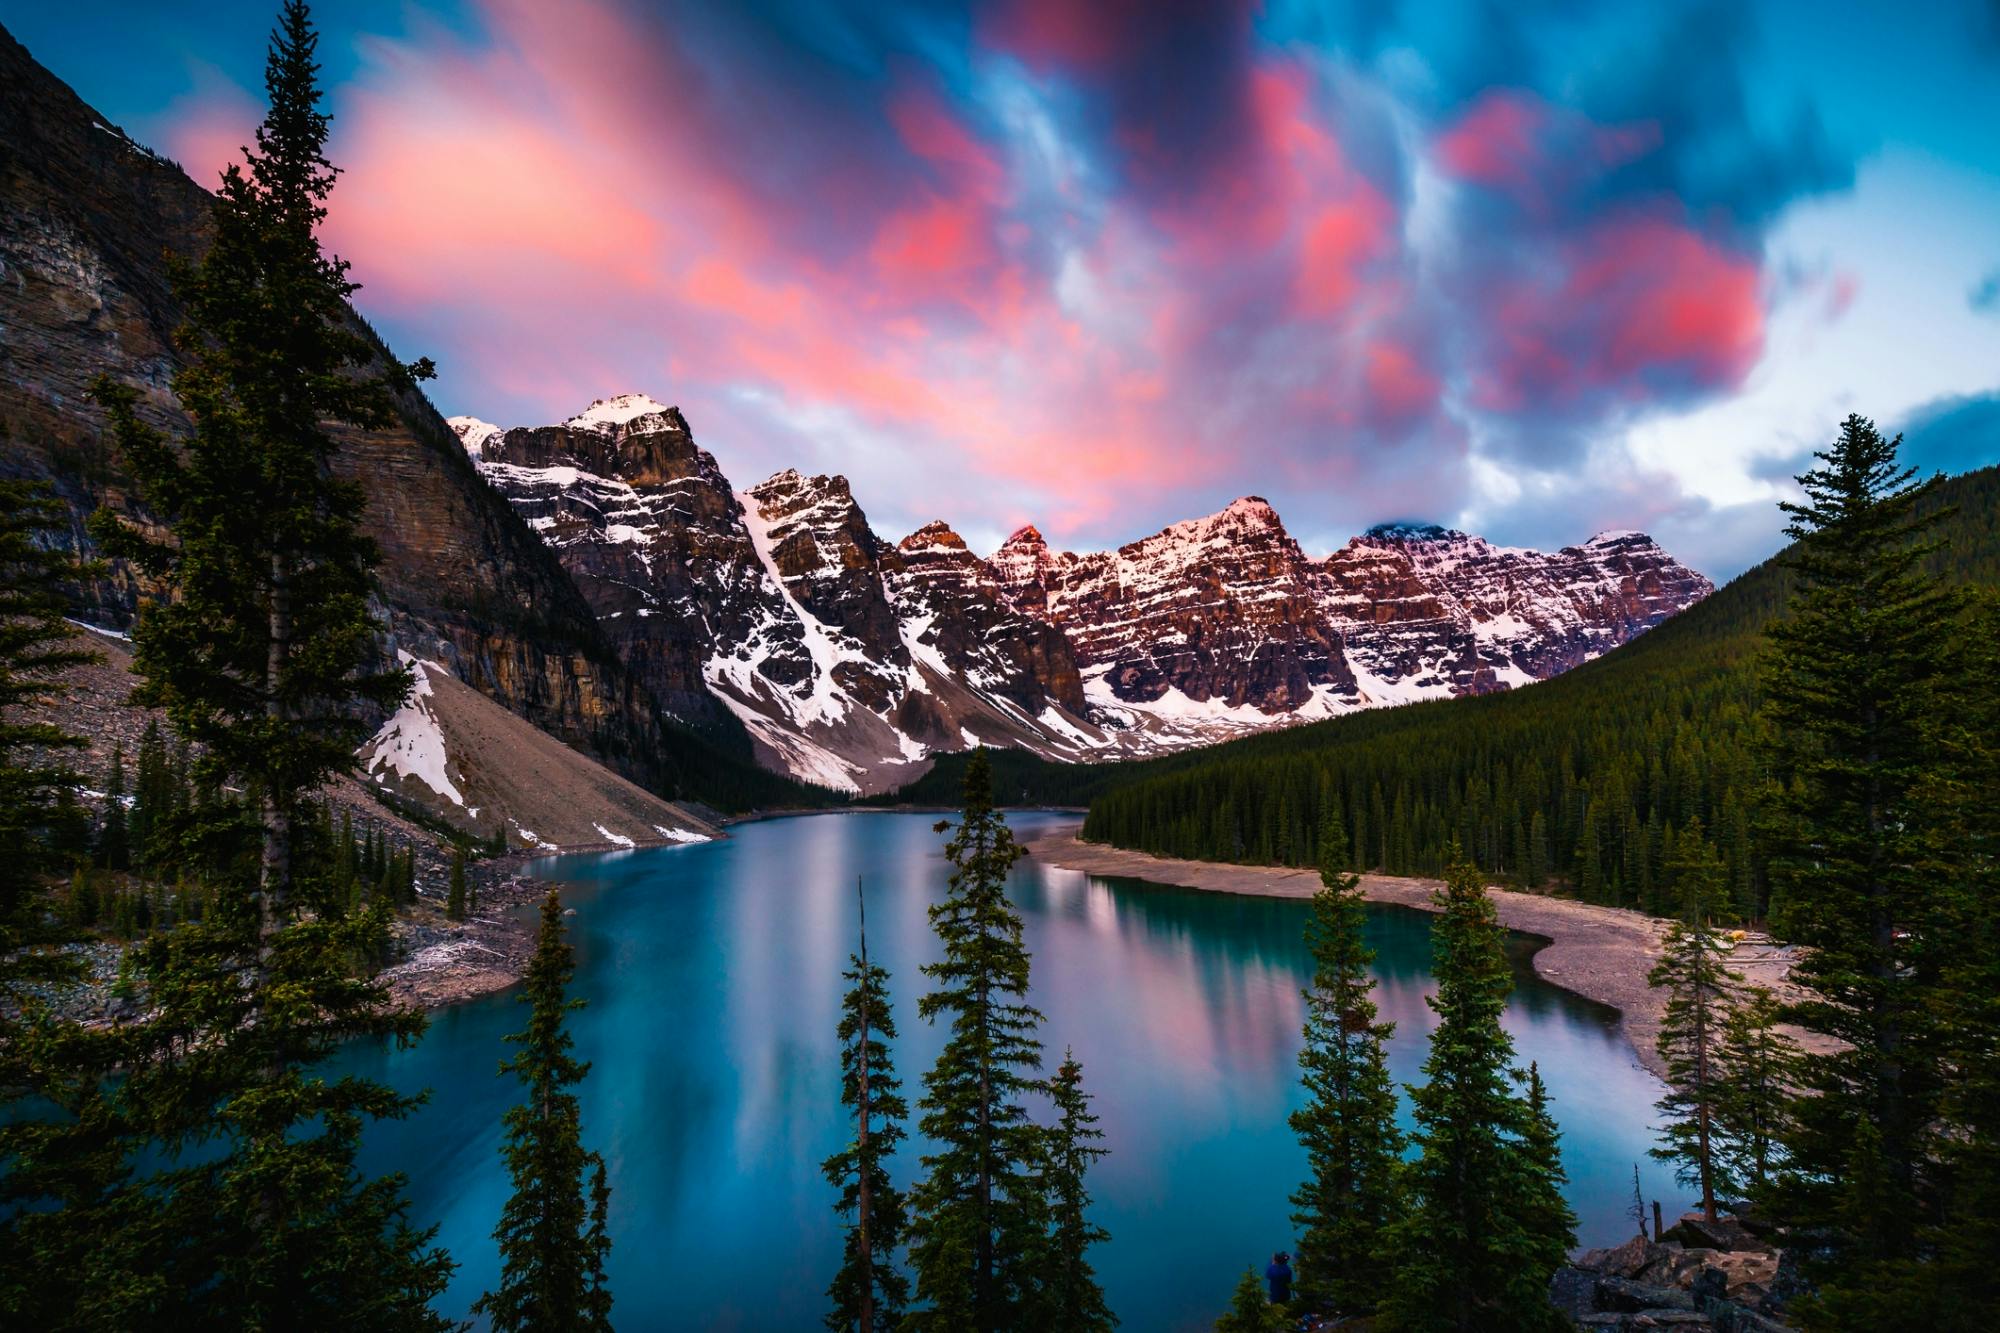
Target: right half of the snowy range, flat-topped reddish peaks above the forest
x,y
1227,621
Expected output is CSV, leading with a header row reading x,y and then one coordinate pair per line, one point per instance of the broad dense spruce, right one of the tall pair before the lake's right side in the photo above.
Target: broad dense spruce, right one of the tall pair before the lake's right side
x,y
1479,1238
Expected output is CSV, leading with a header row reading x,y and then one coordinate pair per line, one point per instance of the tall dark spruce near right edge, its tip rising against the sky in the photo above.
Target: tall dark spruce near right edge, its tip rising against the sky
x,y
1859,682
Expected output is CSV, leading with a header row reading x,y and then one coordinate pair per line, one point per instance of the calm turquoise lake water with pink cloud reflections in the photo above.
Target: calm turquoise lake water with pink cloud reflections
x,y
713,978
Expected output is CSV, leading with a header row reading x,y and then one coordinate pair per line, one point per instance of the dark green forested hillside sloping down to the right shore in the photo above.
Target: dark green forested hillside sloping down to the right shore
x,y
1583,780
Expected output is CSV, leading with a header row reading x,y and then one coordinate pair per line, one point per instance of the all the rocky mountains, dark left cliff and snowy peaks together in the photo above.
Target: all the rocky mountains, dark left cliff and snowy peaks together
x,y
605,579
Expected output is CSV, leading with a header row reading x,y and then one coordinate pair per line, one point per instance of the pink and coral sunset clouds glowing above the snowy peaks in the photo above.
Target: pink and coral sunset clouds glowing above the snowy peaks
x,y
575,205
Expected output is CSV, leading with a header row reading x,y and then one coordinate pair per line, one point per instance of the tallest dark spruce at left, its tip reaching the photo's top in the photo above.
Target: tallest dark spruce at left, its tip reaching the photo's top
x,y
265,641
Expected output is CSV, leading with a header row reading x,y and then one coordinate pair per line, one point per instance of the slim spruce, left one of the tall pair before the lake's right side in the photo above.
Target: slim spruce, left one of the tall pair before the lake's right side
x,y
1349,1122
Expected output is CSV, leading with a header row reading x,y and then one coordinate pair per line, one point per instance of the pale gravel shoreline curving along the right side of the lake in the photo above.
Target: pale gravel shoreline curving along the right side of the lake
x,y
1601,954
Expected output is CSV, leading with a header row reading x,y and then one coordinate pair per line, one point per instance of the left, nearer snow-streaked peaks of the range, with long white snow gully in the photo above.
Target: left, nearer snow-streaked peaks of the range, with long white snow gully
x,y
845,657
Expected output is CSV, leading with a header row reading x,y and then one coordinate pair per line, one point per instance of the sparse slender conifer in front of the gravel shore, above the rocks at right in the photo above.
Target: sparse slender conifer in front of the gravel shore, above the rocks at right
x,y
1701,990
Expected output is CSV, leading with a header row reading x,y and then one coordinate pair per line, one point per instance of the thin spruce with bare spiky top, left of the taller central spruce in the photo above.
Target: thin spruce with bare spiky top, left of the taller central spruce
x,y
869,1292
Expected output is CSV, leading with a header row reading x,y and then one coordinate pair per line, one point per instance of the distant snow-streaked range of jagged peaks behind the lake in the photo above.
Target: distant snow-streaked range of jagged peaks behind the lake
x,y
853,659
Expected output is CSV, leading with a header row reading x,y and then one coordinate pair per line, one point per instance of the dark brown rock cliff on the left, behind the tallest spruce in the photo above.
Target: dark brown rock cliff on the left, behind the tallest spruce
x,y
87,219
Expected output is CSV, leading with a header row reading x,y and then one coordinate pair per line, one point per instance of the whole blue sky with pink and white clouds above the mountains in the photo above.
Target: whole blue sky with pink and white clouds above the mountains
x,y
1521,271
